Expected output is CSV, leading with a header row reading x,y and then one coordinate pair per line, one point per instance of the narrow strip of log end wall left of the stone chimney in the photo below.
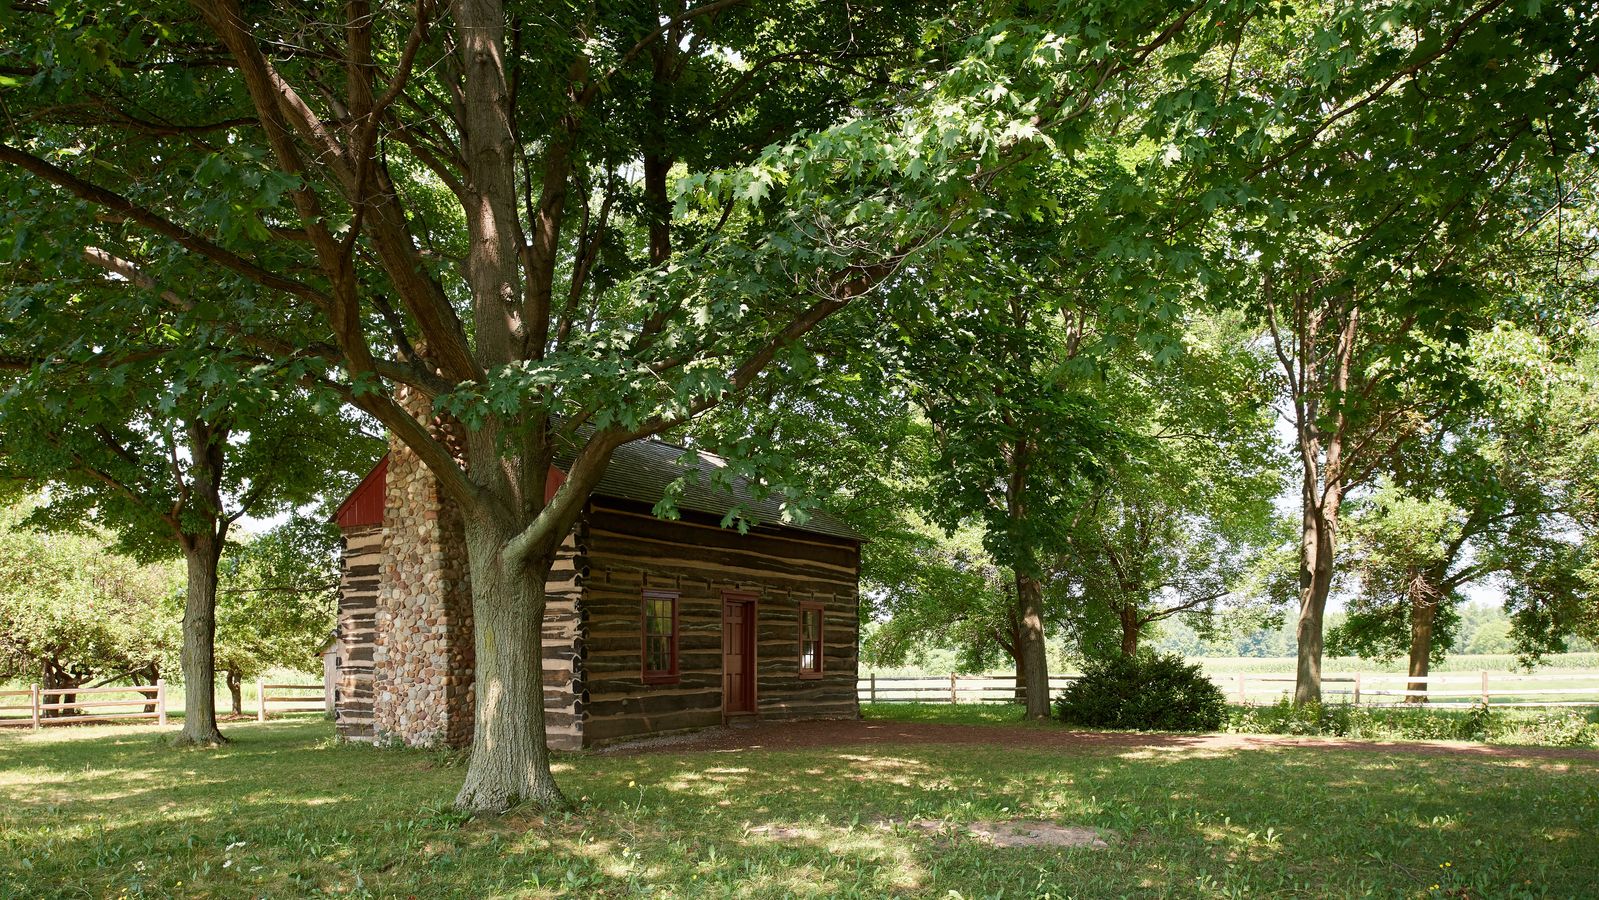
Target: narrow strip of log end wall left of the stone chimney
x,y
364,551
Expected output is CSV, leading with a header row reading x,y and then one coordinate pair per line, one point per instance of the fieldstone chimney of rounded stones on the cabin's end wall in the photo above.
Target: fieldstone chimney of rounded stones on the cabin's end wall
x,y
423,656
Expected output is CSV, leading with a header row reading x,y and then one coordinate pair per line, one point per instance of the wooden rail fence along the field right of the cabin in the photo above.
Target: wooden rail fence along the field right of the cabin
x,y
1457,690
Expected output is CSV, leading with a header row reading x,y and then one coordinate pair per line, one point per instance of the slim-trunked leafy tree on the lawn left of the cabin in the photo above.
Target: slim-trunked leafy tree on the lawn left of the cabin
x,y
164,453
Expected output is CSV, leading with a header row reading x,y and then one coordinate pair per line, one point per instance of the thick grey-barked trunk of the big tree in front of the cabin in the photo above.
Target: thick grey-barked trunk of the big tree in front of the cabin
x,y
511,760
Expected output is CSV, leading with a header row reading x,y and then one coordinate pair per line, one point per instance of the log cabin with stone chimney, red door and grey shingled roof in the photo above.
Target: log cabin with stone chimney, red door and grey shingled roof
x,y
652,626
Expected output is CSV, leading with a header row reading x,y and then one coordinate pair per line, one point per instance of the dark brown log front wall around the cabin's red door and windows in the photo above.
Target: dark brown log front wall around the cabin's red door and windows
x,y
629,551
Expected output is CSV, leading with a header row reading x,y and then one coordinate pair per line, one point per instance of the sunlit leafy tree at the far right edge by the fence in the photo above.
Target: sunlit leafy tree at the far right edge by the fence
x,y
1499,495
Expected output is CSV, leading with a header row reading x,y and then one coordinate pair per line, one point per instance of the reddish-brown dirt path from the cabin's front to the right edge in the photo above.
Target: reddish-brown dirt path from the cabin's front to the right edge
x,y
816,735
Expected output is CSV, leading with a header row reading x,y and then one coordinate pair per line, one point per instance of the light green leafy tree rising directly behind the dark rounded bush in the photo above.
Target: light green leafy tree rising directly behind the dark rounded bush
x,y
1178,527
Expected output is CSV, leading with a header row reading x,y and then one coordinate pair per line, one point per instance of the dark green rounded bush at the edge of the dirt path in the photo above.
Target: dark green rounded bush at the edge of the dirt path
x,y
1155,693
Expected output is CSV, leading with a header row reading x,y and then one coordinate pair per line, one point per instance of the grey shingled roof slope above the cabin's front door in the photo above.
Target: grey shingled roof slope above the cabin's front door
x,y
642,471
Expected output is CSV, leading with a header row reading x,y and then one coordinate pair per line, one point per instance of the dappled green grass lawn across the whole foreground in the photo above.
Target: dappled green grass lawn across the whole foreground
x,y
287,813
